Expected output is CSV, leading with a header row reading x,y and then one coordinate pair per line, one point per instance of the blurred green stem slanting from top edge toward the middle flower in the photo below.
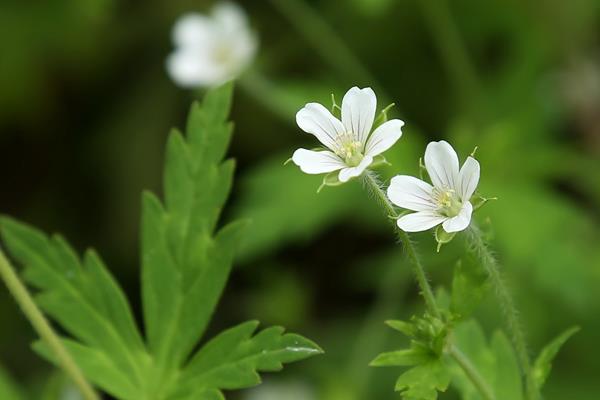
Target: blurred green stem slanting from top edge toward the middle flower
x,y
325,40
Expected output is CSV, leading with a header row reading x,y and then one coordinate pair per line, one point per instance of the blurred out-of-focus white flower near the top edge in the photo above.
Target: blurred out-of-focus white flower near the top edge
x,y
211,49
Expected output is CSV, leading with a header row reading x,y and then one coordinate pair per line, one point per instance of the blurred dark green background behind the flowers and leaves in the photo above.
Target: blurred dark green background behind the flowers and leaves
x,y
86,105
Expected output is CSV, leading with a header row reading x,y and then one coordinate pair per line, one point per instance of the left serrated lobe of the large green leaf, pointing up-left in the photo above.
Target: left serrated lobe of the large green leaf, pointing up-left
x,y
82,297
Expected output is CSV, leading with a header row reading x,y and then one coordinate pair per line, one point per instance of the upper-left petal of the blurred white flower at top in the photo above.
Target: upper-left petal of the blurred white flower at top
x,y
194,30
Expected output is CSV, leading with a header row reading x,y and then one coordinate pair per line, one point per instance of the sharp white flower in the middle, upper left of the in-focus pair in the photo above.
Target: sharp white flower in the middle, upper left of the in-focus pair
x,y
352,146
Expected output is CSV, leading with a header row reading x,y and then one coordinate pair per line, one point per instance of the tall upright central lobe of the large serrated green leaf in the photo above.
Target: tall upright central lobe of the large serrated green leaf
x,y
185,262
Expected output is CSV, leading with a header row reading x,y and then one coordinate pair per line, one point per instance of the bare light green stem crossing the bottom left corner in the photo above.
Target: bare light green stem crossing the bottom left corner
x,y
43,328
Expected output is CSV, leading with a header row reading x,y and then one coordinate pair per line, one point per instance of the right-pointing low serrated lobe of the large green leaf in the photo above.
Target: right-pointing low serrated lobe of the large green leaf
x,y
233,359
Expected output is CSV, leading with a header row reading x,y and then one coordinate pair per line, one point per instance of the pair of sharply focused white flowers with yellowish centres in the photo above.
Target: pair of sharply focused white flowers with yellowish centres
x,y
351,146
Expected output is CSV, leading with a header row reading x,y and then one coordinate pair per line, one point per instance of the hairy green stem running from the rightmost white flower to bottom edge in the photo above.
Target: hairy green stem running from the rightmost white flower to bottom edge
x,y
511,315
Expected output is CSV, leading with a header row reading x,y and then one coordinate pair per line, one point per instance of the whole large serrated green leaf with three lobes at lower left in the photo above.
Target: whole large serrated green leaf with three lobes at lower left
x,y
186,261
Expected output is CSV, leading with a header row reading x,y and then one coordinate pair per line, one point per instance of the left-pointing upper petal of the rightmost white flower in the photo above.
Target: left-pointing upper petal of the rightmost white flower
x,y
411,193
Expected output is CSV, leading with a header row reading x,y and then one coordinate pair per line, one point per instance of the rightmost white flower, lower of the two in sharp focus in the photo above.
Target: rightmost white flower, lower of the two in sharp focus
x,y
447,201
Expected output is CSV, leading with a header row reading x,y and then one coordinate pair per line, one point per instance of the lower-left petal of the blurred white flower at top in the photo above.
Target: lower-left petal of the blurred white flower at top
x,y
192,69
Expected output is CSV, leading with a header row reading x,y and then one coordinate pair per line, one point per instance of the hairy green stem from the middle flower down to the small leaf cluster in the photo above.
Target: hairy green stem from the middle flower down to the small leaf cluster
x,y
373,185
